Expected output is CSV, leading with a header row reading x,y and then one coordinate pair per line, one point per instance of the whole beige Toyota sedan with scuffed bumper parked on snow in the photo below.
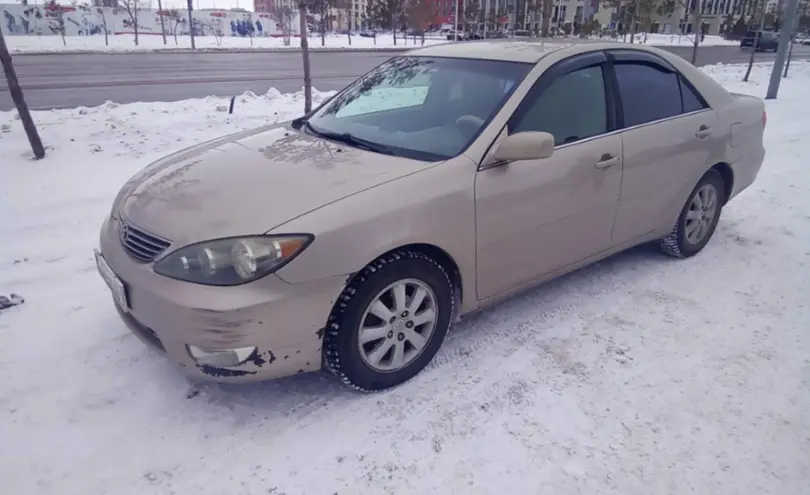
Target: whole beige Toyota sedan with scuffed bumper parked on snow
x,y
437,184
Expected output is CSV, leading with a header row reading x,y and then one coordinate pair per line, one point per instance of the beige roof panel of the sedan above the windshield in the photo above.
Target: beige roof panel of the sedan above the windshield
x,y
530,51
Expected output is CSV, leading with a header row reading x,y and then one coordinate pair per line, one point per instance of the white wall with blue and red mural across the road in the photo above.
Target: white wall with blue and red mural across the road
x,y
36,20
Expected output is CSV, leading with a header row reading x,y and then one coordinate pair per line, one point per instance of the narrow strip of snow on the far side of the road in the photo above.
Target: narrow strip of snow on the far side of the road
x,y
125,42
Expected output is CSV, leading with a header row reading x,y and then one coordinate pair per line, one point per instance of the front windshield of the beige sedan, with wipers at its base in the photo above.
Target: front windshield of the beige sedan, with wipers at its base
x,y
420,107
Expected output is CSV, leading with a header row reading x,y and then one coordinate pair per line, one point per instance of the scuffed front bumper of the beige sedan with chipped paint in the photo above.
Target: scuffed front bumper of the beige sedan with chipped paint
x,y
283,321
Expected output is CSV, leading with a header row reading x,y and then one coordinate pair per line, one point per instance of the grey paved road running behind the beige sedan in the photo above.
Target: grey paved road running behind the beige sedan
x,y
70,80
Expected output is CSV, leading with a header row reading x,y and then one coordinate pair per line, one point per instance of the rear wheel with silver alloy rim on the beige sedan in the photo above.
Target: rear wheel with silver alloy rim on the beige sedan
x,y
698,219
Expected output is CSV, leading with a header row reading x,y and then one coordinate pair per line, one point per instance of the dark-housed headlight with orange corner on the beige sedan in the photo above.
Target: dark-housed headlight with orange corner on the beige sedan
x,y
232,261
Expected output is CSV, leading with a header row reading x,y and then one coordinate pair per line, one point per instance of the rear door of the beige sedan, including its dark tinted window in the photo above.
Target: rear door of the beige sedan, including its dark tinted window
x,y
669,135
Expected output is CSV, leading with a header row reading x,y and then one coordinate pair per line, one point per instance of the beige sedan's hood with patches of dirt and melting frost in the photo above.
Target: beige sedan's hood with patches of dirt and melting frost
x,y
249,183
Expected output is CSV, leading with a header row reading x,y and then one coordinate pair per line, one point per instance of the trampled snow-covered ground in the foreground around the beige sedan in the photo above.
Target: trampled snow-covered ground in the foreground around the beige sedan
x,y
639,375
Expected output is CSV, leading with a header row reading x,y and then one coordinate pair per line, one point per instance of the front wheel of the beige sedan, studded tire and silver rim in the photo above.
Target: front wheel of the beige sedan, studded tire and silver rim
x,y
390,321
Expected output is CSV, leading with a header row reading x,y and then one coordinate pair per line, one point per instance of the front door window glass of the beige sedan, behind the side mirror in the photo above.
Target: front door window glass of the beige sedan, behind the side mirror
x,y
572,108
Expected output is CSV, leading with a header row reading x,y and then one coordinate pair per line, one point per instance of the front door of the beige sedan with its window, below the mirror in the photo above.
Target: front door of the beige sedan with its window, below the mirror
x,y
534,217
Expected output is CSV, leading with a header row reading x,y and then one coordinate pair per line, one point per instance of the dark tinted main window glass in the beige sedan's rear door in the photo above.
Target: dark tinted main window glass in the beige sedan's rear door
x,y
648,93
